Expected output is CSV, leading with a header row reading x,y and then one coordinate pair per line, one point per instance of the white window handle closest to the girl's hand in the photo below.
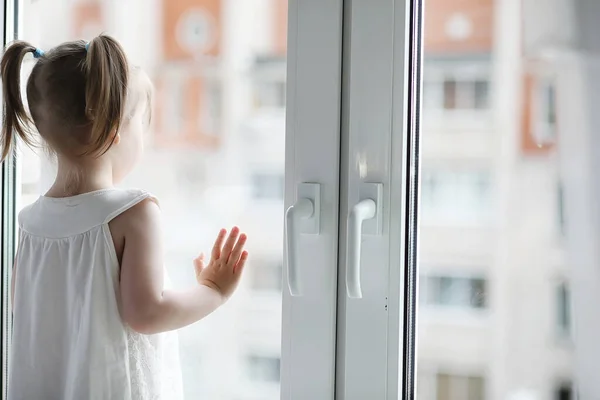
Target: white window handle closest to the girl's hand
x,y
300,218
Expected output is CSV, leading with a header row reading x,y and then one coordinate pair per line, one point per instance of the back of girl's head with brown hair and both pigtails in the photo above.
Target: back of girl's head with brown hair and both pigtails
x,y
76,94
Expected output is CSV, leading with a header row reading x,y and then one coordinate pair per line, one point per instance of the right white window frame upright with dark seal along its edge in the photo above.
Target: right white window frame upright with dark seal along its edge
x,y
380,145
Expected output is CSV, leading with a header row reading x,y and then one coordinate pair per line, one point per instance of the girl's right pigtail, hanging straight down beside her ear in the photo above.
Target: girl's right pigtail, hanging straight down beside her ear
x,y
106,90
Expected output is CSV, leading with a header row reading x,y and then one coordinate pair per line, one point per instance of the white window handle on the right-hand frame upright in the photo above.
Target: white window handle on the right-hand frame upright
x,y
367,211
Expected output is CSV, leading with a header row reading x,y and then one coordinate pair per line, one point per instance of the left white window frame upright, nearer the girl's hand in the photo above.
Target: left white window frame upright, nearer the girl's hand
x,y
314,68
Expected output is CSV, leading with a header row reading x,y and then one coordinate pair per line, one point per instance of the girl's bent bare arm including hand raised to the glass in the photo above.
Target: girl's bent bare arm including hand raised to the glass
x,y
145,306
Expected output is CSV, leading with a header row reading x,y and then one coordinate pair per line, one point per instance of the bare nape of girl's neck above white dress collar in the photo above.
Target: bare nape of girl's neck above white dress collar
x,y
72,180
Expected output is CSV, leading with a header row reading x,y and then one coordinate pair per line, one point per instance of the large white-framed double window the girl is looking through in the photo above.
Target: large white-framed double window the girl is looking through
x,y
353,122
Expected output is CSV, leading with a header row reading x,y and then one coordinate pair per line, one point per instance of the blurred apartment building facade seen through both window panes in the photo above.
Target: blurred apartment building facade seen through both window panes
x,y
494,293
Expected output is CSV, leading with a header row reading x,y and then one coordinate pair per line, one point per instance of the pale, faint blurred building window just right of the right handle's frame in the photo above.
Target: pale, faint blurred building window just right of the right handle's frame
x,y
455,196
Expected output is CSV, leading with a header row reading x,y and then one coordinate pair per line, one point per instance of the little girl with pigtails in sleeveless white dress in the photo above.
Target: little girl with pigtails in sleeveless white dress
x,y
92,317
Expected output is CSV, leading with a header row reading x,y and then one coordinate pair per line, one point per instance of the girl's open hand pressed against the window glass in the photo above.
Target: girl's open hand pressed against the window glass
x,y
226,265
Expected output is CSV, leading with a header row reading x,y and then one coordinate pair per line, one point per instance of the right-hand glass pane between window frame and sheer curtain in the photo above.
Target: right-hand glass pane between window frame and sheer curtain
x,y
494,206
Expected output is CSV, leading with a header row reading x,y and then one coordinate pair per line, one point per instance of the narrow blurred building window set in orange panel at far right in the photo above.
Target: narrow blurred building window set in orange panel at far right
x,y
544,107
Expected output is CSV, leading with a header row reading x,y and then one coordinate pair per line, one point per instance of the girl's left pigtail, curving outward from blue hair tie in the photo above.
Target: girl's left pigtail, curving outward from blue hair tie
x,y
15,118
